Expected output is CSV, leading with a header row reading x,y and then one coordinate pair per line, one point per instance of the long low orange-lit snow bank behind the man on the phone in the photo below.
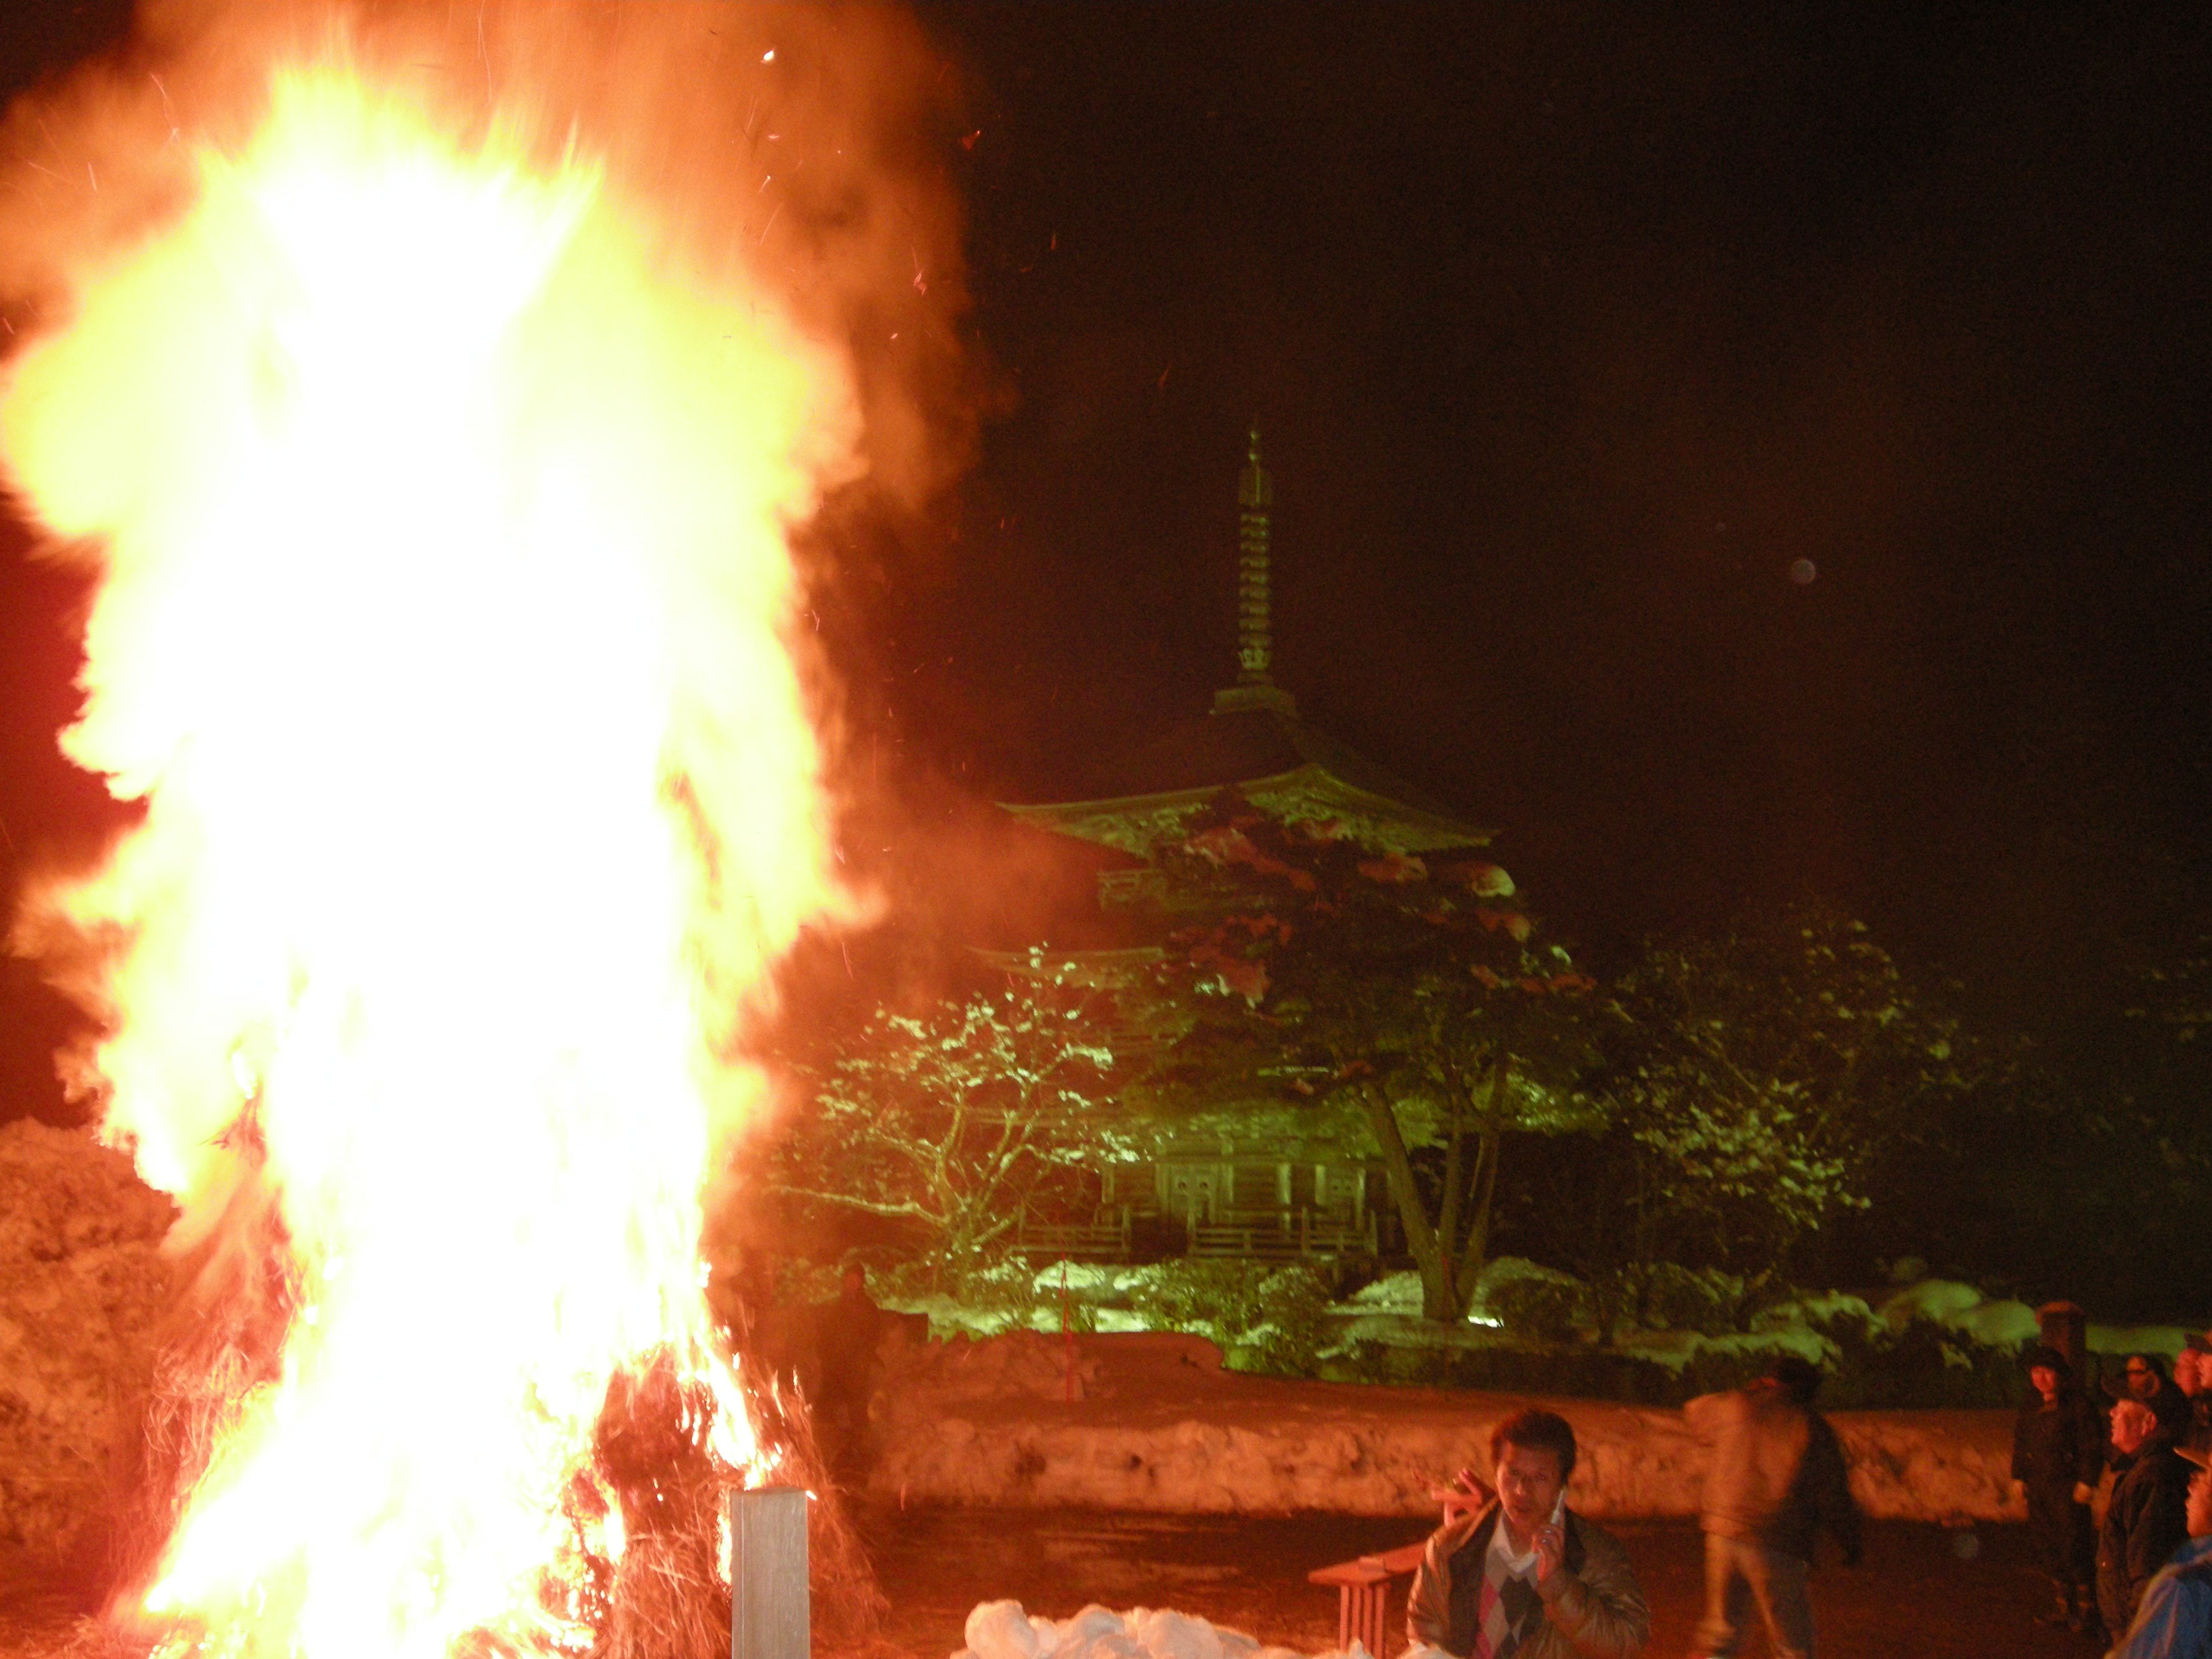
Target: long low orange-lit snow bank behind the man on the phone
x,y
1162,1428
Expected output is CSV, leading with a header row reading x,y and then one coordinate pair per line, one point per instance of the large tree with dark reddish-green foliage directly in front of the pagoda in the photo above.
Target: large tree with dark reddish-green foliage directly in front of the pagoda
x,y
1401,994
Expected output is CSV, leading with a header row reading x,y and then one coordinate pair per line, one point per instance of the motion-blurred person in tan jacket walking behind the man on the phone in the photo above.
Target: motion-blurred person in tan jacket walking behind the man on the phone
x,y
1777,1474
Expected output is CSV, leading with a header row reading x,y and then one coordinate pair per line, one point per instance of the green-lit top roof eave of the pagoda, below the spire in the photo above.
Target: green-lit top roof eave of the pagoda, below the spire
x,y
1302,795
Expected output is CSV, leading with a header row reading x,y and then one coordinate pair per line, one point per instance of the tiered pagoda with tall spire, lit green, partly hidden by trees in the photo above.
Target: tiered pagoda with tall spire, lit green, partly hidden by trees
x,y
1249,1180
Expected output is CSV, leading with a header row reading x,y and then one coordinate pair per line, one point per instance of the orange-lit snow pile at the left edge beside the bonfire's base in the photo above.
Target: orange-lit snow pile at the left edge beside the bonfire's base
x,y
83,1288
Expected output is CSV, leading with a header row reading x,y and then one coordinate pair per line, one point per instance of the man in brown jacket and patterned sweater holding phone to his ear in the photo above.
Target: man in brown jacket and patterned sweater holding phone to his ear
x,y
1523,1576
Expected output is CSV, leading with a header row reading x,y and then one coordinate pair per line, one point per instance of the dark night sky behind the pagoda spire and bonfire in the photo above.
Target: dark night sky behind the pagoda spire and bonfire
x,y
1569,335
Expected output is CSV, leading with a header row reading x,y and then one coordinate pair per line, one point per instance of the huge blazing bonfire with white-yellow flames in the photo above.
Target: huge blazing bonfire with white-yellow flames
x,y
441,483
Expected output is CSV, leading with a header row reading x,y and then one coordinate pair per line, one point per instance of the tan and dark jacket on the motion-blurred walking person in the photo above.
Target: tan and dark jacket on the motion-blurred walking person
x,y
1777,1472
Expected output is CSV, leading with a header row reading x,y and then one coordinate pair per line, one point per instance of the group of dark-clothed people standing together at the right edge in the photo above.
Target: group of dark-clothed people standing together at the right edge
x,y
2120,1499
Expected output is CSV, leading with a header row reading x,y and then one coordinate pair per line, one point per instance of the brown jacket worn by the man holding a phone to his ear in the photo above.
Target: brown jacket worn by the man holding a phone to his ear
x,y
1592,1605
